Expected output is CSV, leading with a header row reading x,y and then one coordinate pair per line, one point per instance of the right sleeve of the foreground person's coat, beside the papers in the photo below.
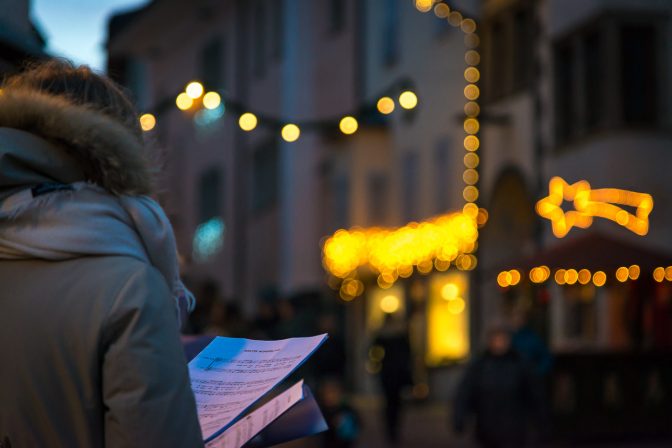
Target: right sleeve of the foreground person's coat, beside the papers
x,y
146,389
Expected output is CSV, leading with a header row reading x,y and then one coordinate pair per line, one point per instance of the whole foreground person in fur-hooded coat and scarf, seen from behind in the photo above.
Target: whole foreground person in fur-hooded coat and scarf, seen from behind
x,y
89,342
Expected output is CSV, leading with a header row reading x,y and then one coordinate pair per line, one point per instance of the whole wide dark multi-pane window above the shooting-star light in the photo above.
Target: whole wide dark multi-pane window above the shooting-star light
x,y
608,75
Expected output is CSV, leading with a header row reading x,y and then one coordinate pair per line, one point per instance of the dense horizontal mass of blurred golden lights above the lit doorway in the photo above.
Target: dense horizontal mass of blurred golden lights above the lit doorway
x,y
393,253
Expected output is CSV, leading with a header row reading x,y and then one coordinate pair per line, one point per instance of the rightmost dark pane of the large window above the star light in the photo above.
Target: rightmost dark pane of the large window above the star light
x,y
639,69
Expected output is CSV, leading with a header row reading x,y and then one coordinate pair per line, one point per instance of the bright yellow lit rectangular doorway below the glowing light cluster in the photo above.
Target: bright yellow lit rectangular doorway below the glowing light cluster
x,y
447,318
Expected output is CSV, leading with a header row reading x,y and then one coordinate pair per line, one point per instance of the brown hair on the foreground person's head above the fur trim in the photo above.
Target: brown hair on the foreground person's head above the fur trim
x,y
81,86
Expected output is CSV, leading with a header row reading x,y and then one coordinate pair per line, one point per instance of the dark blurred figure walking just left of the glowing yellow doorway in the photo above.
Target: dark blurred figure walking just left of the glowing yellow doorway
x,y
395,372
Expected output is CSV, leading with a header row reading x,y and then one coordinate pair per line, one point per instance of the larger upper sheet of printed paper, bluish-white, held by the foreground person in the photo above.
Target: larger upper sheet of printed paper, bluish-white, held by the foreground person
x,y
231,374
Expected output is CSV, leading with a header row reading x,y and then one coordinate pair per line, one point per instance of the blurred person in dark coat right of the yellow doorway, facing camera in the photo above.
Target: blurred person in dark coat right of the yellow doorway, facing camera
x,y
500,390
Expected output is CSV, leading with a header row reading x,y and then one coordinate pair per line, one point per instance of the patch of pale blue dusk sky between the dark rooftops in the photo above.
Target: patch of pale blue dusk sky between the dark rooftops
x,y
76,28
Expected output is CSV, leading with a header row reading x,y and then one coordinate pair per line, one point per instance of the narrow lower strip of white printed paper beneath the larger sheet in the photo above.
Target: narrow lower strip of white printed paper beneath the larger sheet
x,y
246,428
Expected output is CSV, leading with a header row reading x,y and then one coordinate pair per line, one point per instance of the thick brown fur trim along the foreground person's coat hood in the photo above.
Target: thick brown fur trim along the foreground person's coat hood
x,y
110,155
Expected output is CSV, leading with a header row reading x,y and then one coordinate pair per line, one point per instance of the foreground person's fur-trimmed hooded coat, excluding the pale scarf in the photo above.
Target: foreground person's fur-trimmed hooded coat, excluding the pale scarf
x,y
89,351
